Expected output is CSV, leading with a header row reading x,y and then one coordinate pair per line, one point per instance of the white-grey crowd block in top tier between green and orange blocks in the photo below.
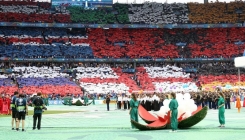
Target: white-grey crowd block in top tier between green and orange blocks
x,y
157,13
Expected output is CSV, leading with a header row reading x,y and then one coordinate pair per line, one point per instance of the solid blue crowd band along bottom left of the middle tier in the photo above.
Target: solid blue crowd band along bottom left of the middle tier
x,y
45,51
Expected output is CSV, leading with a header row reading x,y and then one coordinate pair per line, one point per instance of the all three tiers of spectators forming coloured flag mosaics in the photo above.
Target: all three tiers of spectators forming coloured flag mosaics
x,y
99,43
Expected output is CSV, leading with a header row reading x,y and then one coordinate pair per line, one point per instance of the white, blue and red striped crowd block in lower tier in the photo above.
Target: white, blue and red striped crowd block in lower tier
x,y
44,79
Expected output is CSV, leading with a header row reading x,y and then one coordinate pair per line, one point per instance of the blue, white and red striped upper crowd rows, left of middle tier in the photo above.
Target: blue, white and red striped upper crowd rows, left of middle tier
x,y
11,35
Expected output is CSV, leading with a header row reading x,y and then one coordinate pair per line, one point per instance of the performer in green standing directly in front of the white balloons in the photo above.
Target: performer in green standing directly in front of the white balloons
x,y
173,105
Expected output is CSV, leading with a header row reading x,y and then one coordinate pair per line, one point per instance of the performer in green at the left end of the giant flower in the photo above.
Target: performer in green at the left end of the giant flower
x,y
133,112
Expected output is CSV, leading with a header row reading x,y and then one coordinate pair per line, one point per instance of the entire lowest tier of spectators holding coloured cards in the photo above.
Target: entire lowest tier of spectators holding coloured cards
x,y
101,79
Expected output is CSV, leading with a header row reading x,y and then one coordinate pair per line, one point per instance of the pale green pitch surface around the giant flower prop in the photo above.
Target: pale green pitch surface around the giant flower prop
x,y
95,123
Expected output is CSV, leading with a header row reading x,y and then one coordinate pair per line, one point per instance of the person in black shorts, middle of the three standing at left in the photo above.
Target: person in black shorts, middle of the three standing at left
x,y
22,111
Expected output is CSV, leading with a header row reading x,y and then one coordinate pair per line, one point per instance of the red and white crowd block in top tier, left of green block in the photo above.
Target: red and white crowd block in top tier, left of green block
x,y
22,11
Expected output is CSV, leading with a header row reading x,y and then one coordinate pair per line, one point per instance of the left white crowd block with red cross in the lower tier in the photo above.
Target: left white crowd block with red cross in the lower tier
x,y
110,80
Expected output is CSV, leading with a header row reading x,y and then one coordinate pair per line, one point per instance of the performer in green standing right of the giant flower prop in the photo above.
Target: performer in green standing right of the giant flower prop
x,y
221,107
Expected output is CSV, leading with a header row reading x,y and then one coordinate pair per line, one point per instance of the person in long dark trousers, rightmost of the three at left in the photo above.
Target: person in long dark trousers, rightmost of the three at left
x,y
38,105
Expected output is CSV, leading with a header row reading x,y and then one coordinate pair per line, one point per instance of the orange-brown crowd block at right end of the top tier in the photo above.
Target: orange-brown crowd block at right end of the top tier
x,y
218,12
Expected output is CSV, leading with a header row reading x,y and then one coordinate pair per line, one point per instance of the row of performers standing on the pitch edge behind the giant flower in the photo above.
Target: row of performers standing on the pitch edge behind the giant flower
x,y
153,102
